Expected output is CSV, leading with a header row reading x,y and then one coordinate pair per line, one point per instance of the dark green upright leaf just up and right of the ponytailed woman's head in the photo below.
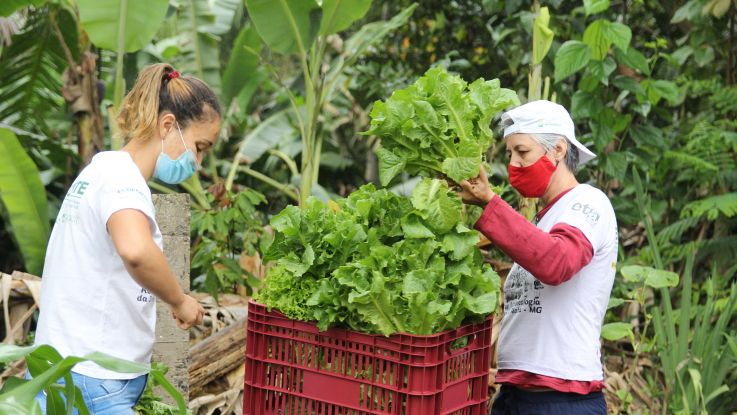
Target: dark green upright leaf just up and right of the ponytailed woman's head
x,y
243,63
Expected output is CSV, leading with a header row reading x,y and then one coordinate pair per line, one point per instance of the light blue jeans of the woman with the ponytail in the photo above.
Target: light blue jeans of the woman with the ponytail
x,y
104,396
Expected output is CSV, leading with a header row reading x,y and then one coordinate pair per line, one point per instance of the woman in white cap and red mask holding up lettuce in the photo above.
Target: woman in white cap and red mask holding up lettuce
x,y
557,292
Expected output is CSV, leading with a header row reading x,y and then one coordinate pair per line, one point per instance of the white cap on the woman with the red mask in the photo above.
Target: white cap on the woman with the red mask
x,y
546,117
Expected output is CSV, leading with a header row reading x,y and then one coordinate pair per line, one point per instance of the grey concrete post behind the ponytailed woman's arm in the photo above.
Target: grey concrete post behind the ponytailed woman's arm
x,y
172,344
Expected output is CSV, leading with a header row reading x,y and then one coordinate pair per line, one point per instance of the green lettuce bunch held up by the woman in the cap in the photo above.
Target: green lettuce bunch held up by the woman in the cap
x,y
437,126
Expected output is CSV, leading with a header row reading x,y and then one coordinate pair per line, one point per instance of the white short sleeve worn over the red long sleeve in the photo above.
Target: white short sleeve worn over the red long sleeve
x,y
592,214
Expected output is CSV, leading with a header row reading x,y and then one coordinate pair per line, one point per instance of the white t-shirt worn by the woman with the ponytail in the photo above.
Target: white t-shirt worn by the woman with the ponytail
x,y
89,302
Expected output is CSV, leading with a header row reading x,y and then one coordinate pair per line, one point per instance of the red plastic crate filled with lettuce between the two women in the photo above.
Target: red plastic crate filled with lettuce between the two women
x,y
292,368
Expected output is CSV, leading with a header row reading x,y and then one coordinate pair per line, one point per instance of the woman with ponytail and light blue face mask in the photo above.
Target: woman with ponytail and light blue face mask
x,y
104,262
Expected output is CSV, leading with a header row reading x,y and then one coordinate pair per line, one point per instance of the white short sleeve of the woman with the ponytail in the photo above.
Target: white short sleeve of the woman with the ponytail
x,y
118,194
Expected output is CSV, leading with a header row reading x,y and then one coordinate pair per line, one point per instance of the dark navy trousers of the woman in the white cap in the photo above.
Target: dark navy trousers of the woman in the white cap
x,y
514,401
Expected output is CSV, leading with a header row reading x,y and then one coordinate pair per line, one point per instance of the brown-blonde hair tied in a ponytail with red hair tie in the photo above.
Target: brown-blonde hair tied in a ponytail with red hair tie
x,y
159,89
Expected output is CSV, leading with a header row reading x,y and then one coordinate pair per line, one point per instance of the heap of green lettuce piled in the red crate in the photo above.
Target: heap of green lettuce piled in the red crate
x,y
380,263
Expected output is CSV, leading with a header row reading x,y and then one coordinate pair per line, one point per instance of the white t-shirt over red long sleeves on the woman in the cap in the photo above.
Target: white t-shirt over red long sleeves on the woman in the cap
x,y
554,330
